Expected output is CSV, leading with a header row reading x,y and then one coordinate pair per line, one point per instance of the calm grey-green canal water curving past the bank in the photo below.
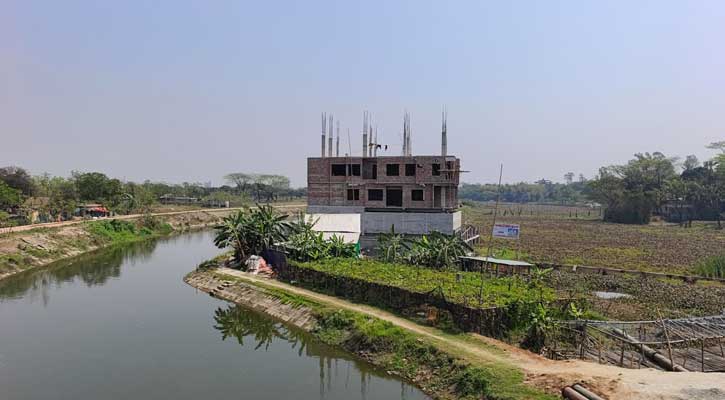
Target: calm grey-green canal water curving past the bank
x,y
121,324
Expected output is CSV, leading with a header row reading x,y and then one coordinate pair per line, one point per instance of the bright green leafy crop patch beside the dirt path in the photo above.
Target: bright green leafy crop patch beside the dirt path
x,y
457,287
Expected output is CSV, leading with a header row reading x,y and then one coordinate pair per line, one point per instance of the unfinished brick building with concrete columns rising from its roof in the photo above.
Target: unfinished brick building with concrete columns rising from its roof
x,y
416,194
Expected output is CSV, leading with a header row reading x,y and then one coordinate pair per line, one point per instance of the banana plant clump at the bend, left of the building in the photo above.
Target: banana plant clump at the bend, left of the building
x,y
250,232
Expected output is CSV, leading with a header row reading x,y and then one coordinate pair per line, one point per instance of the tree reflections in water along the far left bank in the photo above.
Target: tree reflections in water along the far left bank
x,y
93,269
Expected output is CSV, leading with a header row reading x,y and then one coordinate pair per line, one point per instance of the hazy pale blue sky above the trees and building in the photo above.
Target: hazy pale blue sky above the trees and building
x,y
188,91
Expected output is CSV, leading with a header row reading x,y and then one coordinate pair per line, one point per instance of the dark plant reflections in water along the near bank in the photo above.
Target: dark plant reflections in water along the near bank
x,y
260,331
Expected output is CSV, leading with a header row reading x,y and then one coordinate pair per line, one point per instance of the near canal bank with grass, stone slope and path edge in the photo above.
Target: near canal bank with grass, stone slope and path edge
x,y
427,357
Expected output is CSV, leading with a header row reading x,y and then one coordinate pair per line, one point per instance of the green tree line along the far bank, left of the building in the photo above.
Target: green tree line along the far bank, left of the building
x,y
56,197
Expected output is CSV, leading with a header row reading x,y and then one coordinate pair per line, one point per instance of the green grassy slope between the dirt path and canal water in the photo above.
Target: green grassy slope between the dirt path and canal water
x,y
440,371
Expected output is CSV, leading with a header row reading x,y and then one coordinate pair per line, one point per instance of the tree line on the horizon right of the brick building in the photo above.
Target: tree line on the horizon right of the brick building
x,y
647,185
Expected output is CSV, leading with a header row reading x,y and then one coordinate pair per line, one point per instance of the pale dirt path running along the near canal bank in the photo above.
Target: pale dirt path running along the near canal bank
x,y
609,381
